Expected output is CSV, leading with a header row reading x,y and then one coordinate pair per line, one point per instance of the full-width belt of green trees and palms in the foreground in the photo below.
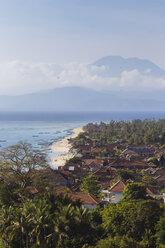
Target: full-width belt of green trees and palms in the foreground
x,y
48,220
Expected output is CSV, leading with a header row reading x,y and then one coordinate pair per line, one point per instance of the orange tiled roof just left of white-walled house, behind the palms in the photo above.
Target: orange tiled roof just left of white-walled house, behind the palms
x,y
88,201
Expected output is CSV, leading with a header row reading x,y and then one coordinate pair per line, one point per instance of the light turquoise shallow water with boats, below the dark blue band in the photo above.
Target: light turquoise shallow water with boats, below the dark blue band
x,y
40,134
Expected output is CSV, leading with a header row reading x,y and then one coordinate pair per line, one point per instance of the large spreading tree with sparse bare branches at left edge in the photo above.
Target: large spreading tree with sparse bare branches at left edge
x,y
19,164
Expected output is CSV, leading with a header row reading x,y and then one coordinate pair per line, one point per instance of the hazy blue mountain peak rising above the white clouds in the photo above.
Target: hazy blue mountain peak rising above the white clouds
x,y
115,65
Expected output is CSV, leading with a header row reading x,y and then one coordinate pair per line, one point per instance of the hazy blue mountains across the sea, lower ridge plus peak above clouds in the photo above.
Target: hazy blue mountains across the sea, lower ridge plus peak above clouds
x,y
84,99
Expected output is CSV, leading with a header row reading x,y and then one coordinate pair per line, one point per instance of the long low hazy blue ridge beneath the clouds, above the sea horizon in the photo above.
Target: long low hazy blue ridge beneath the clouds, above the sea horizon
x,y
76,99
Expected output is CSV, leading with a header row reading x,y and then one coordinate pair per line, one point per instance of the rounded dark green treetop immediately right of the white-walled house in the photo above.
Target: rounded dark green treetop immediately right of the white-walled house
x,y
134,191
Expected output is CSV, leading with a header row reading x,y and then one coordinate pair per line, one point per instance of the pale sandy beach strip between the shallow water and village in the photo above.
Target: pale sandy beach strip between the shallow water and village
x,y
63,147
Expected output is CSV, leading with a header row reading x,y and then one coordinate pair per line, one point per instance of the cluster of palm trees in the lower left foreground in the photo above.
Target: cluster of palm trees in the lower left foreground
x,y
46,222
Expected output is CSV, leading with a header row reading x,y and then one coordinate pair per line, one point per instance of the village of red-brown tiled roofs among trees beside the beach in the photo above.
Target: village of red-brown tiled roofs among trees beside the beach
x,y
113,165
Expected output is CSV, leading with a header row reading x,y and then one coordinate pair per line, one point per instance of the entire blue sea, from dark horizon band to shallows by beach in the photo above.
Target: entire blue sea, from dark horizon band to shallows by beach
x,y
44,129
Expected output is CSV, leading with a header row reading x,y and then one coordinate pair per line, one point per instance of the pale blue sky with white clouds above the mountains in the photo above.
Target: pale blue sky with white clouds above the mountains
x,y
44,40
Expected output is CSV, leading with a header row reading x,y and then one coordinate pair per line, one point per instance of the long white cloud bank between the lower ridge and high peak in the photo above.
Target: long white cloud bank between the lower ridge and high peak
x,y
21,77
